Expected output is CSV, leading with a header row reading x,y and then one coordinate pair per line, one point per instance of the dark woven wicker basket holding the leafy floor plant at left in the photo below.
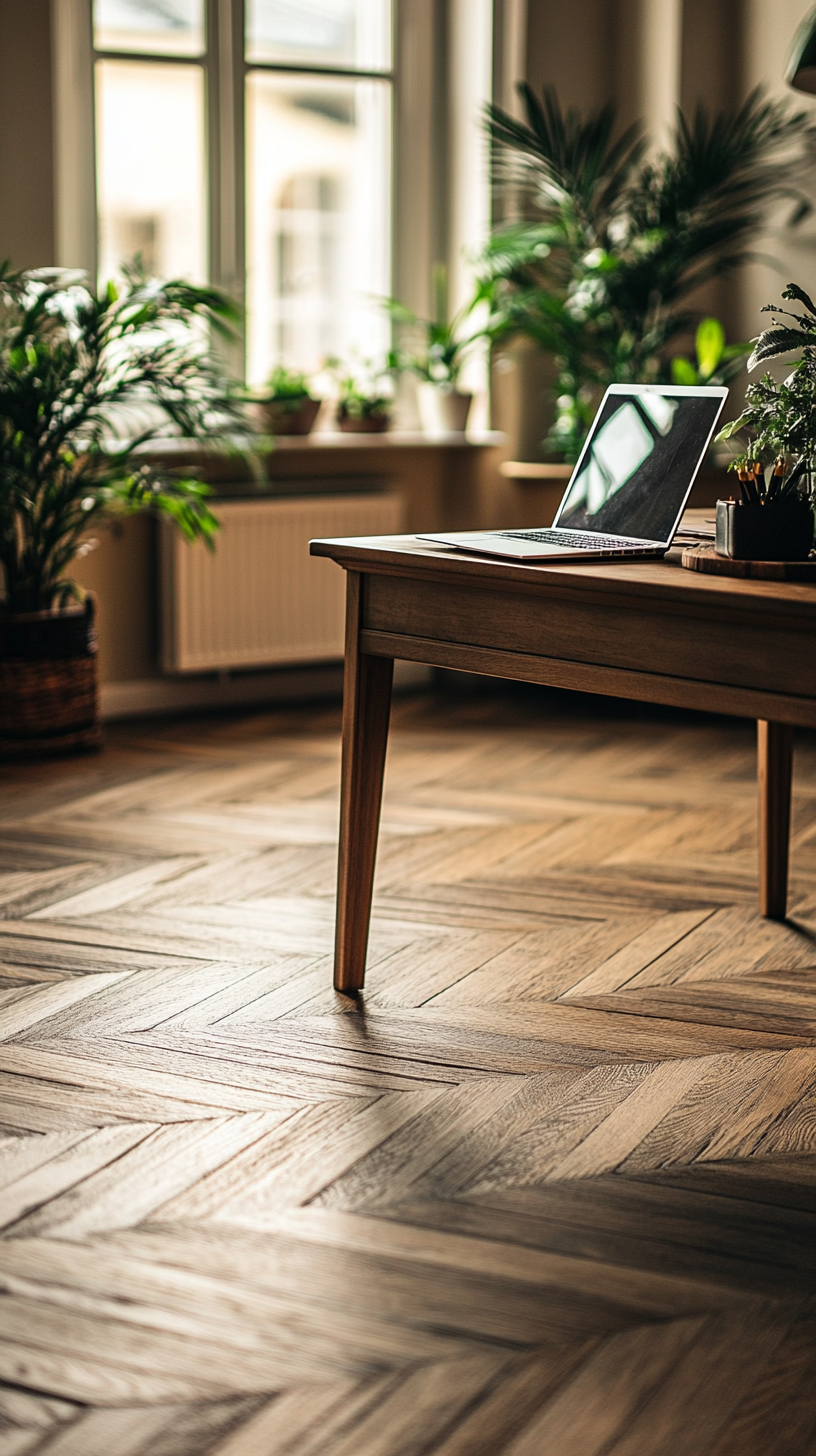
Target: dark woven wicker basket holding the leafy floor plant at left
x,y
49,682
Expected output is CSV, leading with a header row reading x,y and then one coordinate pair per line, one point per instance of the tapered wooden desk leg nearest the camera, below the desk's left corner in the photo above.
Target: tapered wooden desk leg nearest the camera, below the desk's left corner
x,y
366,707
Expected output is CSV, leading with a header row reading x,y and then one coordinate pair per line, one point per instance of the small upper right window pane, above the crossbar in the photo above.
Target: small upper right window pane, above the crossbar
x,y
353,34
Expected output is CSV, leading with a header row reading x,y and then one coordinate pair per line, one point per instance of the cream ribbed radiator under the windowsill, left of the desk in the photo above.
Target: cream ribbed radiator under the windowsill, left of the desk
x,y
260,599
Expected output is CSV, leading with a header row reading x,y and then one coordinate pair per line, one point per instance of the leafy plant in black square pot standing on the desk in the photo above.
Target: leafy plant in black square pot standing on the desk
x,y
774,518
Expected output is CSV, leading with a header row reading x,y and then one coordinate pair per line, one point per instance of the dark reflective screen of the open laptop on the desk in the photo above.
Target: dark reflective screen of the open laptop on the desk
x,y
640,459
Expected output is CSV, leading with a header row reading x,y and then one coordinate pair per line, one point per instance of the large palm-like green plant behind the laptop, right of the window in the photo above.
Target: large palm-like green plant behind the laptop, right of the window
x,y
601,269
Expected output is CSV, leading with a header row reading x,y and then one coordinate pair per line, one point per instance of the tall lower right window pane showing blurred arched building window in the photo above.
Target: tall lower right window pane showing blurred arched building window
x,y
318,221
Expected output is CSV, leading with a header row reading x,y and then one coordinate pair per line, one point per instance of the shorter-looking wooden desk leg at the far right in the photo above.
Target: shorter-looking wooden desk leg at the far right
x,y
774,748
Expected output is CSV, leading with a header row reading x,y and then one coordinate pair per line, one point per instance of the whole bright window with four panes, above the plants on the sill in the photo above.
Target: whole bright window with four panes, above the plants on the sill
x,y
291,203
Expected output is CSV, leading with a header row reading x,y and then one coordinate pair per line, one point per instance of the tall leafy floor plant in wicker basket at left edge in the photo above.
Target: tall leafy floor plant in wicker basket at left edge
x,y
87,379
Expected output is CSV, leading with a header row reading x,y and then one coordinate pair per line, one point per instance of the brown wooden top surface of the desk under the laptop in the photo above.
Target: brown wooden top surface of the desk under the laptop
x,y
662,582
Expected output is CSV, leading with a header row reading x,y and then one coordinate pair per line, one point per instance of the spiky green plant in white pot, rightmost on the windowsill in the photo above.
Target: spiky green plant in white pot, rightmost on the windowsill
x,y
438,357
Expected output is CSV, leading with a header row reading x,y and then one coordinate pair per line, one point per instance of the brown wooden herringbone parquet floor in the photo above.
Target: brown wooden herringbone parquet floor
x,y
546,1190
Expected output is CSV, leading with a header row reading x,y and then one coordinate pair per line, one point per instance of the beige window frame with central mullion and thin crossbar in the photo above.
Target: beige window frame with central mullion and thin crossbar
x,y
433,100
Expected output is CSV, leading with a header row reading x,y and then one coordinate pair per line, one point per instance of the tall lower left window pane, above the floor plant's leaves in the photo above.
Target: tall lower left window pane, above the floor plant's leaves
x,y
151,168
